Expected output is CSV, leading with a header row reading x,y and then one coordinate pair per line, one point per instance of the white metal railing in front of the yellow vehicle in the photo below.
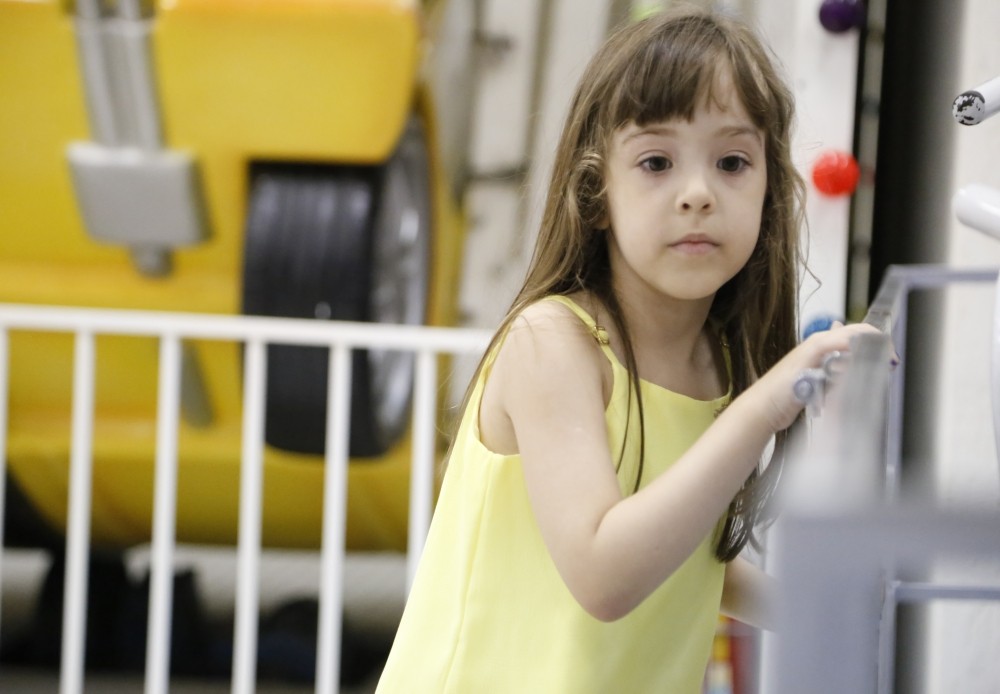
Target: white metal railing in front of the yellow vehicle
x,y
255,333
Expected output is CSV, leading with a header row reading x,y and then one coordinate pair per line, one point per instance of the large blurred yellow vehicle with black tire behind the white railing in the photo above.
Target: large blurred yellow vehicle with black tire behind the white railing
x,y
224,157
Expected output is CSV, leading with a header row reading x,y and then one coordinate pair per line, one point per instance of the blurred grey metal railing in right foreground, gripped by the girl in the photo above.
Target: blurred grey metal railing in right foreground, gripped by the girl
x,y
847,533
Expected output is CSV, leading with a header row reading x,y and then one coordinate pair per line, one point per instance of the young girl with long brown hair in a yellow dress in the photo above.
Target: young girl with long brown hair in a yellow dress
x,y
607,471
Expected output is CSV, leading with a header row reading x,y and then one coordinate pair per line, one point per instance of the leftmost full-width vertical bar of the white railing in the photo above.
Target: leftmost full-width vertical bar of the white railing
x,y
78,521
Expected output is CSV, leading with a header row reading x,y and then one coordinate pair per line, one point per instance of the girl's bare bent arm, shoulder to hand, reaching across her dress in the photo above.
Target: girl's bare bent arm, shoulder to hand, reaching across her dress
x,y
613,551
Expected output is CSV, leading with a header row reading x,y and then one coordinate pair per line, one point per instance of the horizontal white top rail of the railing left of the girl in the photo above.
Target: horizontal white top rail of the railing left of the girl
x,y
299,331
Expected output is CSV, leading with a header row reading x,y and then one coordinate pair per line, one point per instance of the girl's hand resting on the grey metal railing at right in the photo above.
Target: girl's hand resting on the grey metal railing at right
x,y
776,388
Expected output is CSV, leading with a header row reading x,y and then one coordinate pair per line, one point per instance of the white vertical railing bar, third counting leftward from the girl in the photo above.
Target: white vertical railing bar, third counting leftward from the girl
x,y
248,544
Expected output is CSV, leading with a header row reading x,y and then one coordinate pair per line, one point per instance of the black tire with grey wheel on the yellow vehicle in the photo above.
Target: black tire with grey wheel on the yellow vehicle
x,y
339,243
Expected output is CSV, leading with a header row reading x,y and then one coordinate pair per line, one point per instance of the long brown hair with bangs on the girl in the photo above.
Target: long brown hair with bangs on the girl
x,y
662,68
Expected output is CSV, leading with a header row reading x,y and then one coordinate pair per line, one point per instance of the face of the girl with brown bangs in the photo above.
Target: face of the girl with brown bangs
x,y
685,200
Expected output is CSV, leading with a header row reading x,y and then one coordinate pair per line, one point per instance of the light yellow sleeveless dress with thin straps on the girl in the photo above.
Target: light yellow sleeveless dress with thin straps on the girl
x,y
488,612
